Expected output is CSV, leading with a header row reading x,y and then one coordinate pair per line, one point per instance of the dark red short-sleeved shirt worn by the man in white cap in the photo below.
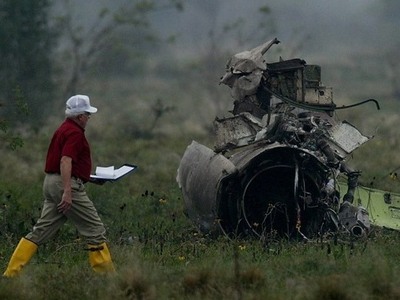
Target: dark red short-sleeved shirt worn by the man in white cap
x,y
69,140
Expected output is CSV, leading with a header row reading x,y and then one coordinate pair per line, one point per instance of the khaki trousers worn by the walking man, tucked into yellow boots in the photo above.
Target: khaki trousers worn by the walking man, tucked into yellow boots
x,y
82,213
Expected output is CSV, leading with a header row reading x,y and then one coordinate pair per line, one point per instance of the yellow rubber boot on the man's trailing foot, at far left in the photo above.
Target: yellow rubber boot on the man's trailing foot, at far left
x,y
21,256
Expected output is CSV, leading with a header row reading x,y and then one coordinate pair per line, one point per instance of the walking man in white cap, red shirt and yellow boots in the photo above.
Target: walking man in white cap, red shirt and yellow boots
x,y
68,167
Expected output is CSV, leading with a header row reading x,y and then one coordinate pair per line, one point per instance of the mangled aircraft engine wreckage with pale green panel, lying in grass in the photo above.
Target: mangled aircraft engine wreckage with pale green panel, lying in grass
x,y
276,166
